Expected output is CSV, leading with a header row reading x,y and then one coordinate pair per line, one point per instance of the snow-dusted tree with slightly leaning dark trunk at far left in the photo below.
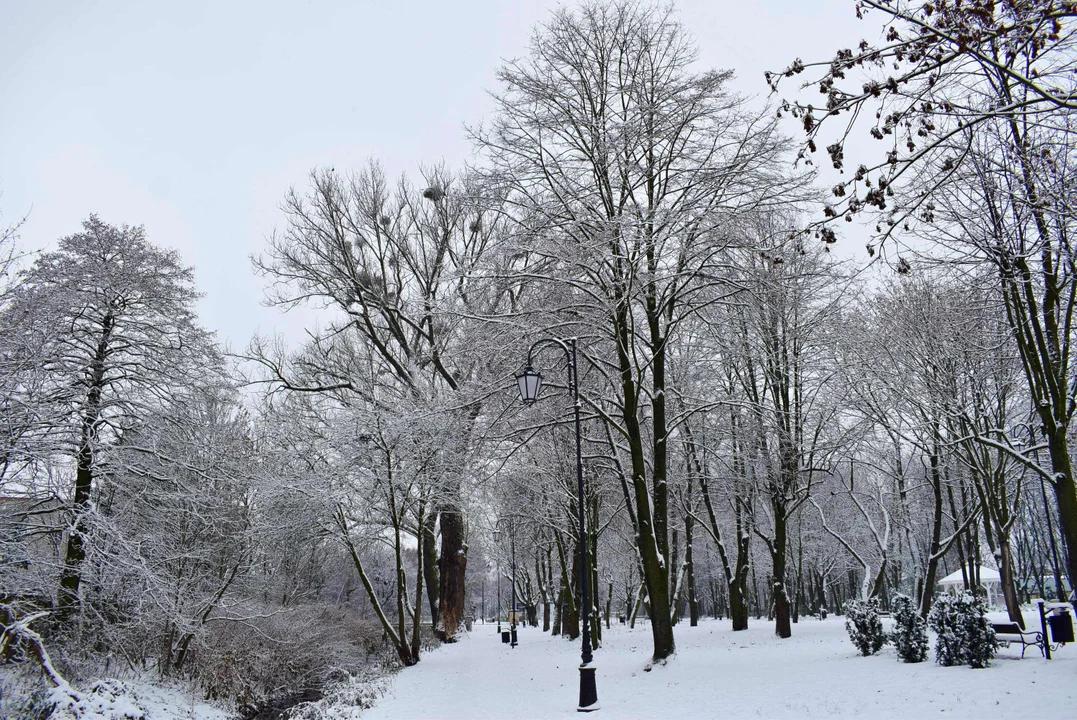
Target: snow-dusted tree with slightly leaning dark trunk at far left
x,y
120,336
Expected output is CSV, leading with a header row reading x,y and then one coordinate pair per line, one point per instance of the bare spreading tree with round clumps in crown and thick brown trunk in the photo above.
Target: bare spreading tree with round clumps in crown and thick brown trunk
x,y
398,269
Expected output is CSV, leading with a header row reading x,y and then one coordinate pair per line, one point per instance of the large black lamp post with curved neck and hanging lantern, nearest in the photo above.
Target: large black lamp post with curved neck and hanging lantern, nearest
x,y
530,384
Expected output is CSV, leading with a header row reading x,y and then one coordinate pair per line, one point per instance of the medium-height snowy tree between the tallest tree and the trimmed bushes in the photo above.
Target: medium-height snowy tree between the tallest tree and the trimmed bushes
x,y
789,377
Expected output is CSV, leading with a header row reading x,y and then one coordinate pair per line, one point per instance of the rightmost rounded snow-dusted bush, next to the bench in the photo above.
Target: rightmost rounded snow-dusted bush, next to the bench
x,y
964,632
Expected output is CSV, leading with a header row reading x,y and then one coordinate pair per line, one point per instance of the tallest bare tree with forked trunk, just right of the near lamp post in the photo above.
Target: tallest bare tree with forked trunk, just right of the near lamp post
x,y
624,162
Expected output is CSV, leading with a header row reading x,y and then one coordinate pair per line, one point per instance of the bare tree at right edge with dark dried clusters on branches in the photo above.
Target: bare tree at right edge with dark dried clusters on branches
x,y
980,112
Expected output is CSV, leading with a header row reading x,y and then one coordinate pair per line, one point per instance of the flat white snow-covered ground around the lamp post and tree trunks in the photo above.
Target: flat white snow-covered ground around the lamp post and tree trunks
x,y
717,673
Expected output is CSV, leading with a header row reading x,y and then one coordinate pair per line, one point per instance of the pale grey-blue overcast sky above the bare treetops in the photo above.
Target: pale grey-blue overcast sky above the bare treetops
x,y
193,119
